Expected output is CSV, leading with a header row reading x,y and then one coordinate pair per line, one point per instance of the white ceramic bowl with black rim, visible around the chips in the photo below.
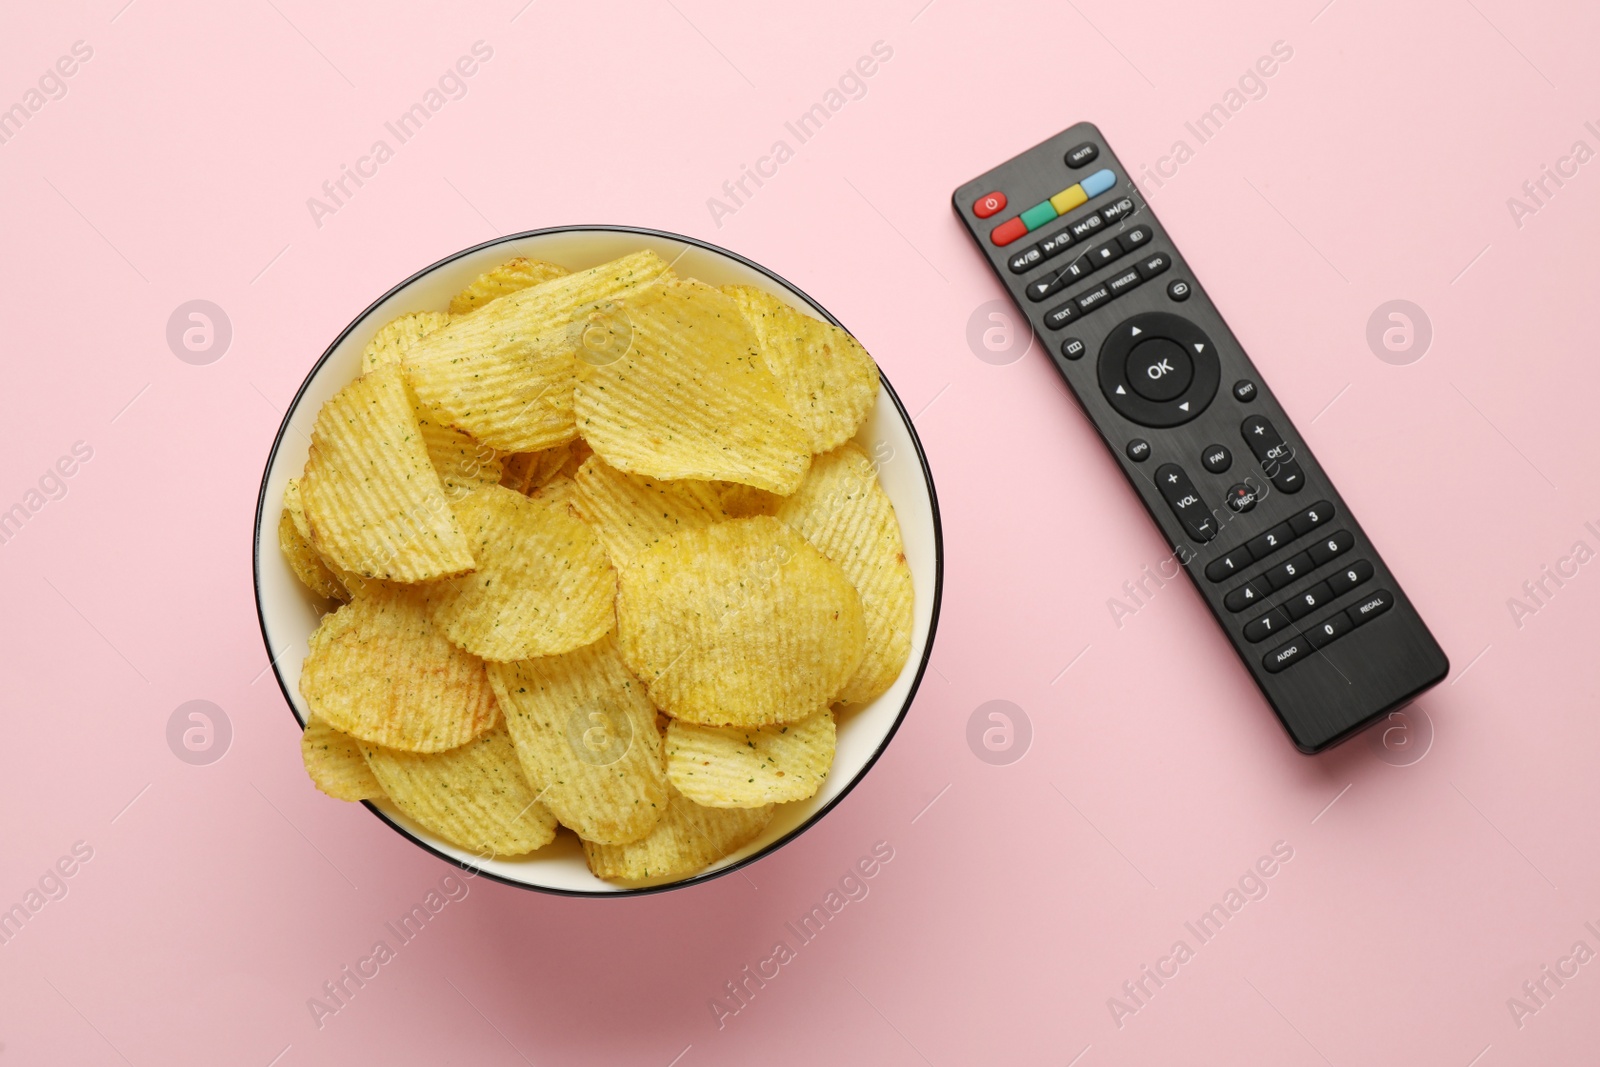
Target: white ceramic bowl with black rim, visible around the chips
x,y
289,612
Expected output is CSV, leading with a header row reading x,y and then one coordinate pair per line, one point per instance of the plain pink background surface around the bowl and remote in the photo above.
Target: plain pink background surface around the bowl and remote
x,y
1422,893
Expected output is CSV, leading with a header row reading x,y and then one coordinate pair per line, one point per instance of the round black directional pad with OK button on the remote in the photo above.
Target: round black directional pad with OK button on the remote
x,y
1159,370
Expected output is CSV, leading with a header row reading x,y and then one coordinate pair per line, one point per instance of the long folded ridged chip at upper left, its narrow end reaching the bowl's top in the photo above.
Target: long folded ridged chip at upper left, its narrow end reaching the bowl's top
x,y
505,374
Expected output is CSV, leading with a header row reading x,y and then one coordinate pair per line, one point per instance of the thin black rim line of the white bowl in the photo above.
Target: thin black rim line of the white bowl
x,y
889,390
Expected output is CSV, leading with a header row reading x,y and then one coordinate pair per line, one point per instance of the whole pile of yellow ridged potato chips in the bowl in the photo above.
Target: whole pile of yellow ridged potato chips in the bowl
x,y
609,559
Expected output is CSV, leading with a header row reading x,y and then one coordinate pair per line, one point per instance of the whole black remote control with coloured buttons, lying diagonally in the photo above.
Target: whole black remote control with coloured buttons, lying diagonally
x,y
1302,593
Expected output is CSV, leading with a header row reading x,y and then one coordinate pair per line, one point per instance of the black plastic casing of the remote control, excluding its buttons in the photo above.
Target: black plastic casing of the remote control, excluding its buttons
x,y
1337,690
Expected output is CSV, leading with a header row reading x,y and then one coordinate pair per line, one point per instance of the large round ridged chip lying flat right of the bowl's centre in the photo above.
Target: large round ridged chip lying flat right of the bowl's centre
x,y
738,625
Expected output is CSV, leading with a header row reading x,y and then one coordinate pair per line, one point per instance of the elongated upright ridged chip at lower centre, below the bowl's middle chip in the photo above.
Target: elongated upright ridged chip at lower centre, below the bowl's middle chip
x,y
586,735
